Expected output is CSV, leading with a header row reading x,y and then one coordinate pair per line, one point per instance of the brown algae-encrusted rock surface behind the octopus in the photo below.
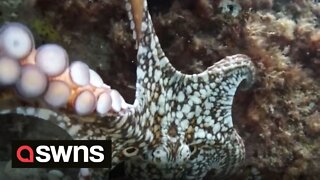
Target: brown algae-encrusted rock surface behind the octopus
x,y
279,117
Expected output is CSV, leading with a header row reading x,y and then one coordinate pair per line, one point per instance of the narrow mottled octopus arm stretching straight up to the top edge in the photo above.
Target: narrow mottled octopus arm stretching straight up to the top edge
x,y
152,64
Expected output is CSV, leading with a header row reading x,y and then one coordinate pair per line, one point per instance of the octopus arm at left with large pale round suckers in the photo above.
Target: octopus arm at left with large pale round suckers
x,y
62,94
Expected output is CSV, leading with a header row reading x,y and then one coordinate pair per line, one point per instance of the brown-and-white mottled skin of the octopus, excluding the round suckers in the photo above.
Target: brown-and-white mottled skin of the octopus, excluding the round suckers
x,y
179,127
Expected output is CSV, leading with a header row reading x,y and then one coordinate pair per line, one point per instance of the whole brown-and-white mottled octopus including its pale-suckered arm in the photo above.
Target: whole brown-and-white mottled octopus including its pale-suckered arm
x,y
179,126
